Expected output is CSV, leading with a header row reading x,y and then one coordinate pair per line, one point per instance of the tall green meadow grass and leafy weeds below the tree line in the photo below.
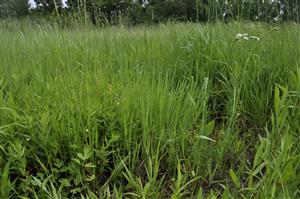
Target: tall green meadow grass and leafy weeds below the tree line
x,y
169,111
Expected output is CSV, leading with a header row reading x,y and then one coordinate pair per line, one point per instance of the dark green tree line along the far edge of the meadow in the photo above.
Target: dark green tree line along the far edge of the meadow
x,y
153,11
